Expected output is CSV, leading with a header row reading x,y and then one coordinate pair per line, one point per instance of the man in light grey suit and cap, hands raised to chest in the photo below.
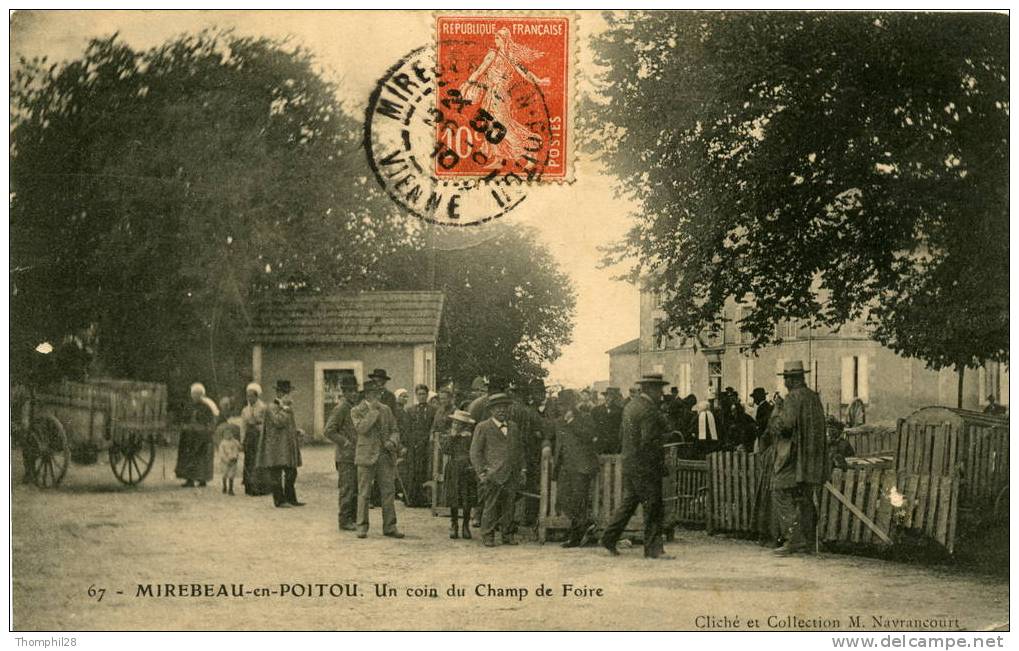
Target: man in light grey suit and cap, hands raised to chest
x,y
376,457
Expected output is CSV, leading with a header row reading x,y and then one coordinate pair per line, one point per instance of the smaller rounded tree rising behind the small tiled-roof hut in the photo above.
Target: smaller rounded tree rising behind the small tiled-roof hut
x,y
509,308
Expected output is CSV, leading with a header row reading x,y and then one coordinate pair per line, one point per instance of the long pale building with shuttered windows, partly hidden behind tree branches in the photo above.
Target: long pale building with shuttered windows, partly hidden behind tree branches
x,y
845,365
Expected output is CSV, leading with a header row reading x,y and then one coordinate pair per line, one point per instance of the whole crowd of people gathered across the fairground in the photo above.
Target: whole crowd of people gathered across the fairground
x,y
491,443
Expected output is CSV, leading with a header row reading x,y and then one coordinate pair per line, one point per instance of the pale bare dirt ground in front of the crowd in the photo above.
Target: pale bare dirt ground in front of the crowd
x,y
92,532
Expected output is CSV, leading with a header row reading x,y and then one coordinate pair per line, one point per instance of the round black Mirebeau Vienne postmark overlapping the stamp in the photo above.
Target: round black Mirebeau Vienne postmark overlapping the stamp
x,y
438,146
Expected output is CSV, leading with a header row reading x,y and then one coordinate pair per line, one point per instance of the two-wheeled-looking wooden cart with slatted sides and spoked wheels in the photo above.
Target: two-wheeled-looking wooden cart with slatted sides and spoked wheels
x,y
77,421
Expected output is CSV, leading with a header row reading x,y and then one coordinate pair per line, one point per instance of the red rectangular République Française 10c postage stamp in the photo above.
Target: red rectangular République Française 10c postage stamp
x,y
503,97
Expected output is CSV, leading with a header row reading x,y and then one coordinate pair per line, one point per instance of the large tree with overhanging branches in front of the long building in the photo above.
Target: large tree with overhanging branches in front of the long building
x,y
825,168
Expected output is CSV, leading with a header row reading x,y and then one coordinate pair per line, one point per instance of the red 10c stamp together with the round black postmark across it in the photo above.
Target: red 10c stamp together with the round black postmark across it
x,y
457,136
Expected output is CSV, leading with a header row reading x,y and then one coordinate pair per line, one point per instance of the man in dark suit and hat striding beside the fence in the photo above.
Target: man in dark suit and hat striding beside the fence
x,y
643,468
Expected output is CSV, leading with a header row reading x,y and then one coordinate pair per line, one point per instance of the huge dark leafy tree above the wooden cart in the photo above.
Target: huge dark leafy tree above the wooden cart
x,y
158,194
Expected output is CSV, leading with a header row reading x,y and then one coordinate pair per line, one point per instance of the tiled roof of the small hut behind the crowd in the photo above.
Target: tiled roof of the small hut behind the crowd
x,y
370,317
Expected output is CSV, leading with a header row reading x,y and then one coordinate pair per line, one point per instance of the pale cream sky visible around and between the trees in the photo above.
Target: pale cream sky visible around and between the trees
x,y
355,49
